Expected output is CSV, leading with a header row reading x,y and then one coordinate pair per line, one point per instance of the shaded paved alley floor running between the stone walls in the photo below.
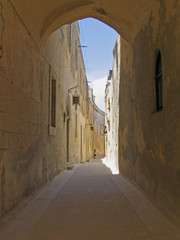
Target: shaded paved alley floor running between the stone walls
x,y
86,203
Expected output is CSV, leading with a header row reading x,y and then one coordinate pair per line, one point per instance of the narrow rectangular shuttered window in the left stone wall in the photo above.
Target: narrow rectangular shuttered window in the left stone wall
x,y
53,103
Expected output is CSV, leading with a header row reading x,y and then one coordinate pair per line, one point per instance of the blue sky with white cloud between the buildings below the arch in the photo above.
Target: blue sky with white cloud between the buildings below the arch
x,y
98,55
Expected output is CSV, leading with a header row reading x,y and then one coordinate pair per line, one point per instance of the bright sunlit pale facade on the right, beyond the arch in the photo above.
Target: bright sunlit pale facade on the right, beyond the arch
x,y
112,112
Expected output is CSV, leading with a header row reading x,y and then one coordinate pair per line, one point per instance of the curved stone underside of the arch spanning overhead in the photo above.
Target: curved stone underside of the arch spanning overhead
x,y
41,17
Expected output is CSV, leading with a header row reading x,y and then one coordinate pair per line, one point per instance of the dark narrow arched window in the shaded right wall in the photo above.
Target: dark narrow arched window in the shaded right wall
x,y
158,83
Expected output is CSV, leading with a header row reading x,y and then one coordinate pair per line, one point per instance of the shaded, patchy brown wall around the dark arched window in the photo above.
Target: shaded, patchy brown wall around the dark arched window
x,y
149,139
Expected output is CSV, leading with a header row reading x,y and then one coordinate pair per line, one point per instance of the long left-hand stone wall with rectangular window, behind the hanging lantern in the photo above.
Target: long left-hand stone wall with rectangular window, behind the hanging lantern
x,y
40,130
